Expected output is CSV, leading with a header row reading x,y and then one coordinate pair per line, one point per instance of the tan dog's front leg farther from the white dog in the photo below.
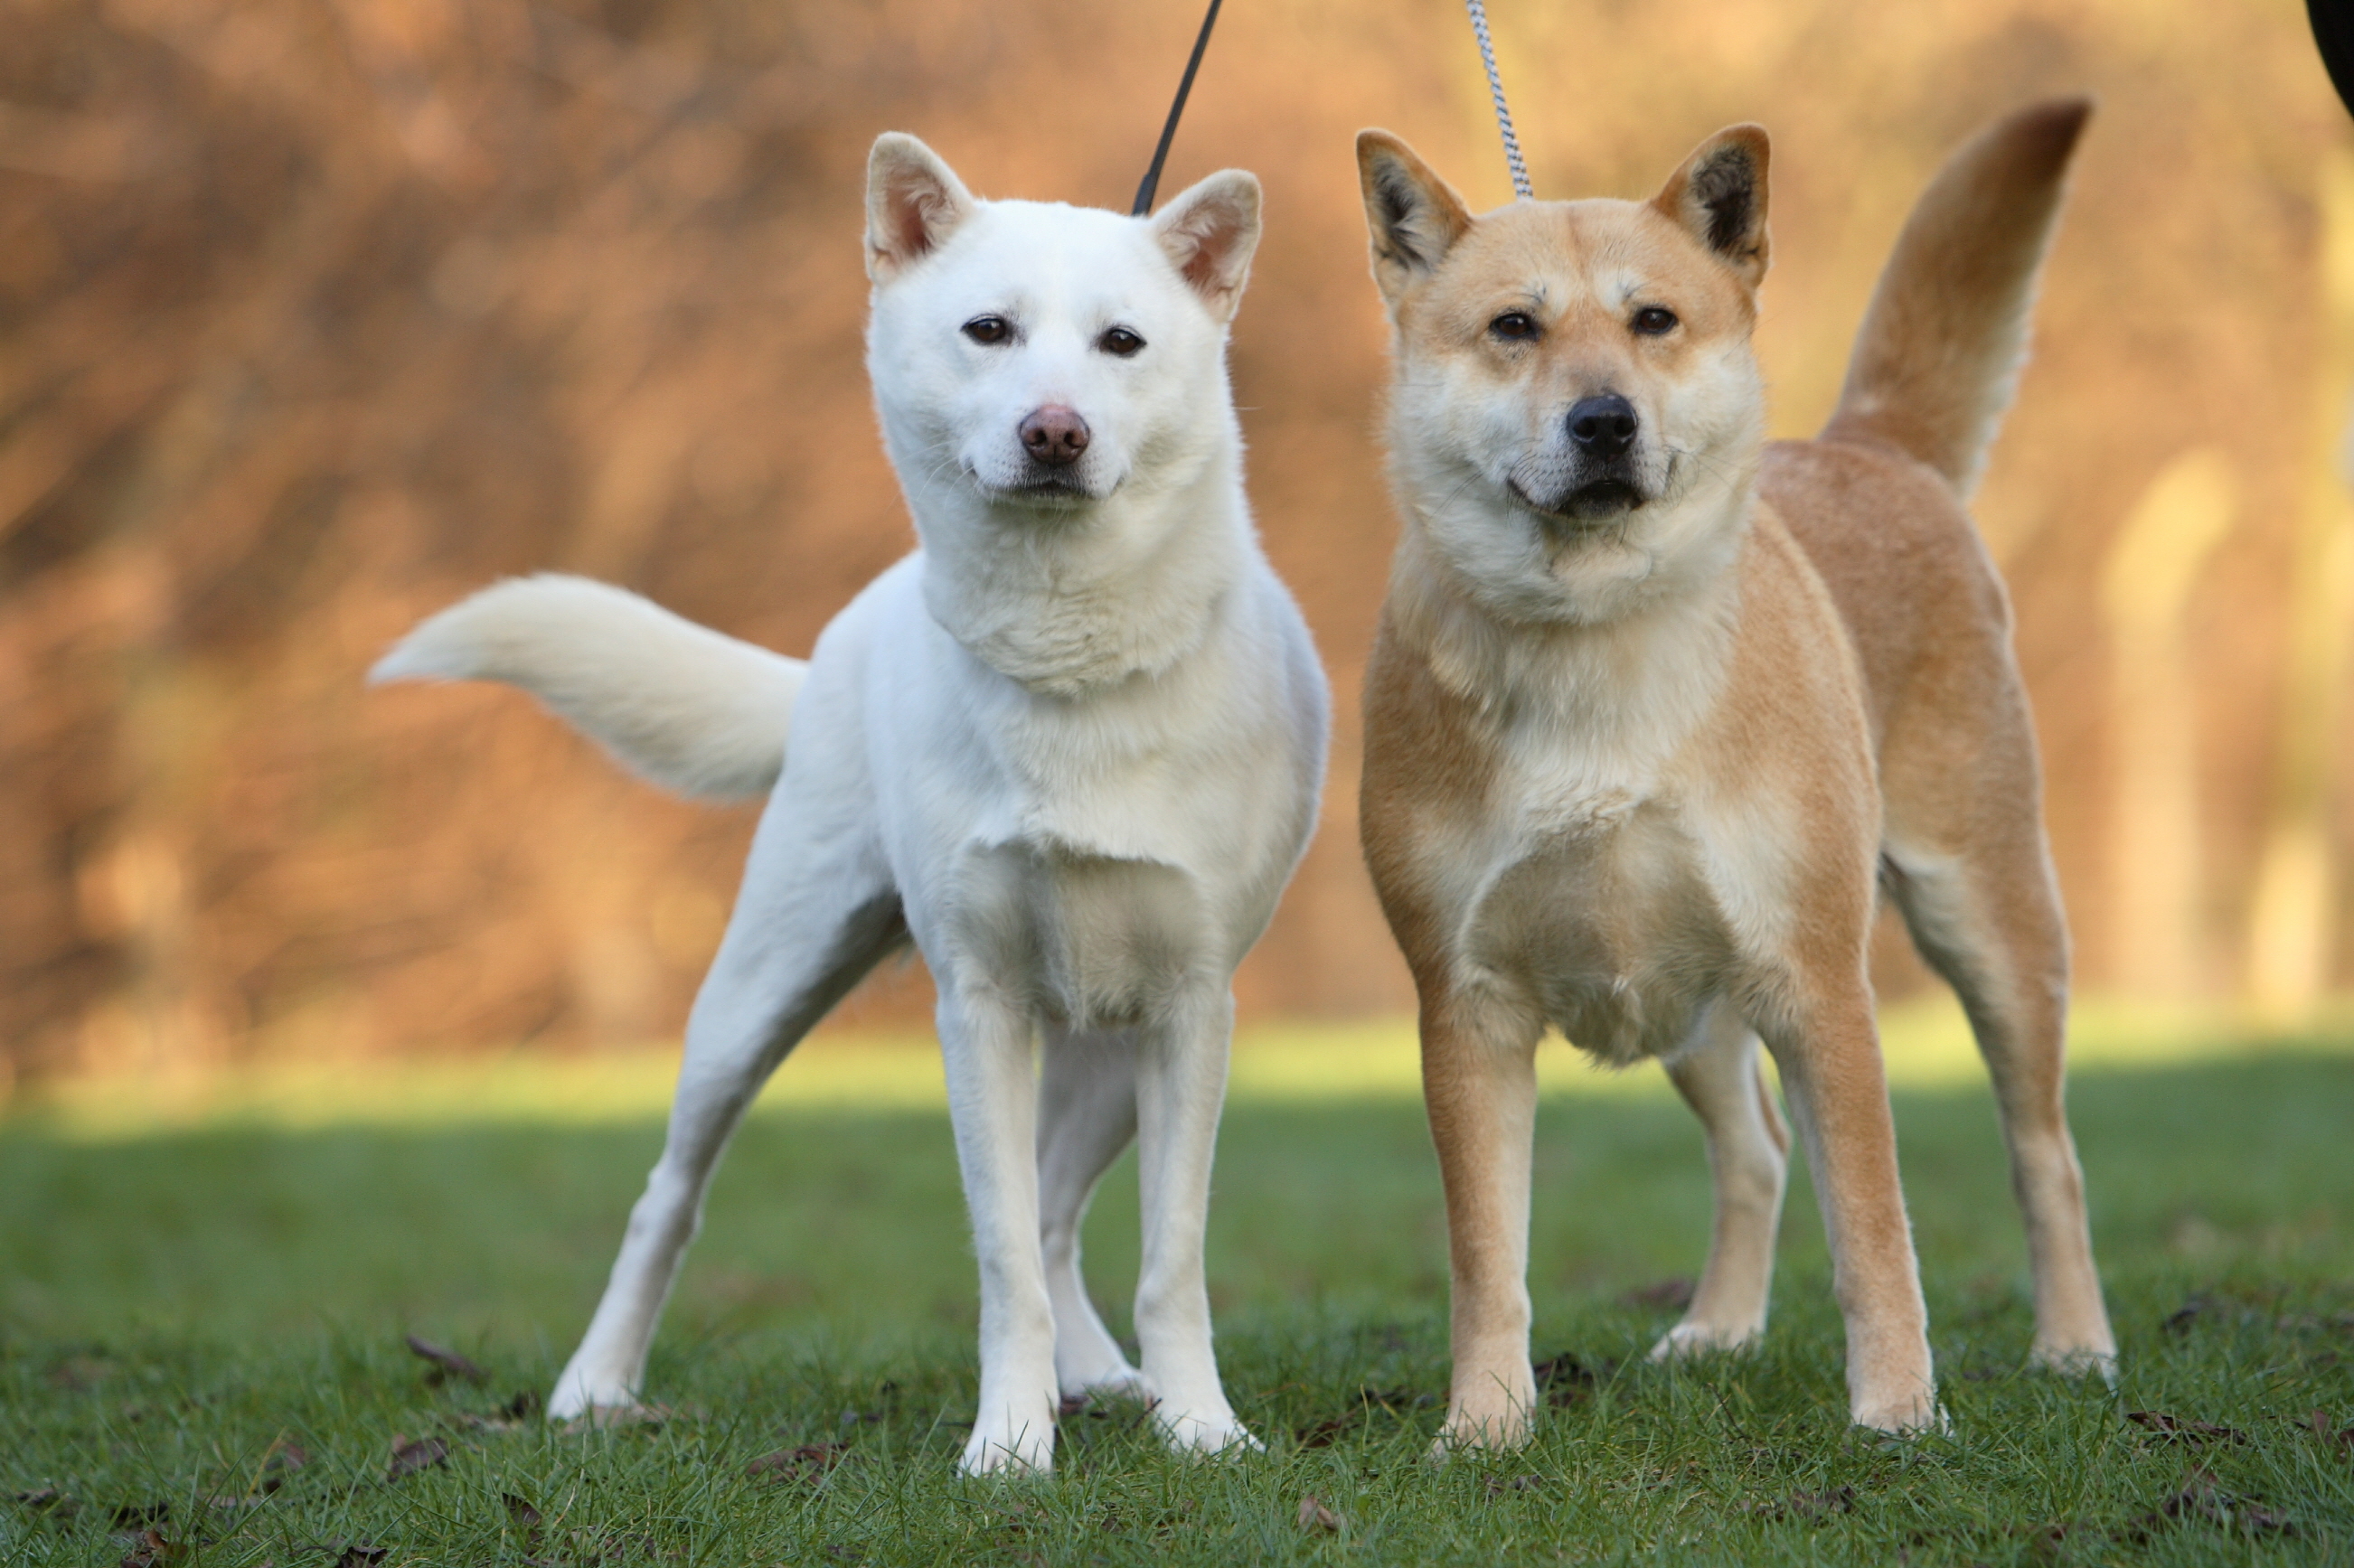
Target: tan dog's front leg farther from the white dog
x,y
1840,1098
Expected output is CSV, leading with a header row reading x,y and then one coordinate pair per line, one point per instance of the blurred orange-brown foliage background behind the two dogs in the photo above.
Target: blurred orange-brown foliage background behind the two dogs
x,y
321,314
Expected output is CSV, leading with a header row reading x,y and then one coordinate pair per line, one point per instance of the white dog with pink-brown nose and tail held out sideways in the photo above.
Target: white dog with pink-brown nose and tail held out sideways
x,y
1072,748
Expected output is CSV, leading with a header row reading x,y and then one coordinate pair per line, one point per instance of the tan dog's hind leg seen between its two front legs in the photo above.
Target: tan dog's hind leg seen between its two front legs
x,y
1722,1079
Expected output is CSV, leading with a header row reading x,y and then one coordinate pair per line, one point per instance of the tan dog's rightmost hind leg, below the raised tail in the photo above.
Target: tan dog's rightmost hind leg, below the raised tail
x,y
1990,924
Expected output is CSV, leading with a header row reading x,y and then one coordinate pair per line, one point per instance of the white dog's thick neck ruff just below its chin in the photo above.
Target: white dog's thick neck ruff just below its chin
x,y
1079,602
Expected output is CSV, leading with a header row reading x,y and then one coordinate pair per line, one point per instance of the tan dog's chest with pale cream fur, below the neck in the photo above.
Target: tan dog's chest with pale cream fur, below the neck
x,y
1623,837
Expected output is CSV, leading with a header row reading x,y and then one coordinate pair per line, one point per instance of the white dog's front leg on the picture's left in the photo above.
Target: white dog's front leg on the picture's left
x,y
995,1105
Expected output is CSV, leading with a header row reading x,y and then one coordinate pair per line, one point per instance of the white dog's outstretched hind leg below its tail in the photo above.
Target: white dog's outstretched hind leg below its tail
x,y
813,917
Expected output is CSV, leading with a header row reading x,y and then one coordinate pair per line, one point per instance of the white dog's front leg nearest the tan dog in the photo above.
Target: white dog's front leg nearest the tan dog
x,y
1181,1091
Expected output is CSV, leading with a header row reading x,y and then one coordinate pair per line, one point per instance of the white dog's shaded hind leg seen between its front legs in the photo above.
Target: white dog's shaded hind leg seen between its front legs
x,y
1086,1119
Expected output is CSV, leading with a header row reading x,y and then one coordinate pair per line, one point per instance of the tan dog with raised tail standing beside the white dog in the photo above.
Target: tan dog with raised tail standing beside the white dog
x,y
1656,705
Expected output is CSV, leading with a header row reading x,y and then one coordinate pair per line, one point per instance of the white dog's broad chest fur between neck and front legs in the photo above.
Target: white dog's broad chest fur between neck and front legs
x,y
1096,858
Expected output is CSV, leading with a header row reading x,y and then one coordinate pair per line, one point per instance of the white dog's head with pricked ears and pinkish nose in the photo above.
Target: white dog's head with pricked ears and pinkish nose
x,y
1035,359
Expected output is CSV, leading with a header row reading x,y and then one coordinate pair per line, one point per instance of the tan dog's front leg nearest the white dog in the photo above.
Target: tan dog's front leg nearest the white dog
x,y
1482,1094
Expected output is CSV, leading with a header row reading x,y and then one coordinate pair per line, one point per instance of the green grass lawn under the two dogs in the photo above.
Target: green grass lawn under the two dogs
x,y
182,1301
